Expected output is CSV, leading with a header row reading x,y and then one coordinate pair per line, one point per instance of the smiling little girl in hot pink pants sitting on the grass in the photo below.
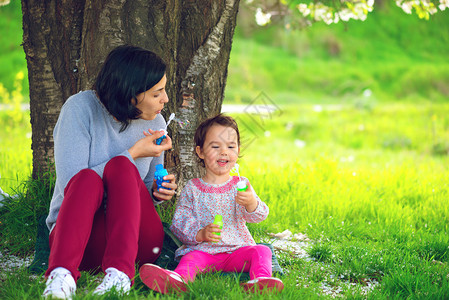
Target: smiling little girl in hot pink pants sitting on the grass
x,y
217,145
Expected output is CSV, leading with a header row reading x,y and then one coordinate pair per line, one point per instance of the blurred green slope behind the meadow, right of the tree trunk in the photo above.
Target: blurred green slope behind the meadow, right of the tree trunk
x,y
396,56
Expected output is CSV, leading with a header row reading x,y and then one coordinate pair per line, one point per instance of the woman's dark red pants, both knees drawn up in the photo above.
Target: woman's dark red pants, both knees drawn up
x,y
86,236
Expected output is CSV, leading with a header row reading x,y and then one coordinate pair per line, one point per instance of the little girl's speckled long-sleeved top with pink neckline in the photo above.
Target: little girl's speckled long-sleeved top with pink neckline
x,y
197,206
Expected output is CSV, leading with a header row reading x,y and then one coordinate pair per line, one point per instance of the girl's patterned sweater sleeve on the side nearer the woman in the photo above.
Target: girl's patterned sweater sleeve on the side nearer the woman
x,y
185,224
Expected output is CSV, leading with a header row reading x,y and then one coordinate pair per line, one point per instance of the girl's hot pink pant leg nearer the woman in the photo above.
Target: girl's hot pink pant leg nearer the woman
x,y
196,262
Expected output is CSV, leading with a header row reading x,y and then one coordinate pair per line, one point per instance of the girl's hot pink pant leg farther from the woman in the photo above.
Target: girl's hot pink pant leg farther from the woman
x,y
253,259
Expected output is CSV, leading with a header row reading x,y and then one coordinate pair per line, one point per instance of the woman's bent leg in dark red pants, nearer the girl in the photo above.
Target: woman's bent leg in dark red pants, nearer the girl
x,y
132,224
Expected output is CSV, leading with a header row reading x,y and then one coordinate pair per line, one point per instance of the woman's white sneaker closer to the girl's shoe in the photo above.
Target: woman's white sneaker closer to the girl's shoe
x,y
114,280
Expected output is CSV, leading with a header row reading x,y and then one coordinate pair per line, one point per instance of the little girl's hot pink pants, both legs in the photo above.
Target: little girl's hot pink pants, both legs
x,y
253,259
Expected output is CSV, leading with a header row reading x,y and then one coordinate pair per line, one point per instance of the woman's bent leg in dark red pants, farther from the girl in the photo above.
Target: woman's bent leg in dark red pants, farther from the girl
x,y
83,196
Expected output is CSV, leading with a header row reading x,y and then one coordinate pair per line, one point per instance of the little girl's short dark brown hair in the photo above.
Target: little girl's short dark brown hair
x,y
203,128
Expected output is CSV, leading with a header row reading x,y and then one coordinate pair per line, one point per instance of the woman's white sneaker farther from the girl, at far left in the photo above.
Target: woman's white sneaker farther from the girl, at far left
x,y
60,284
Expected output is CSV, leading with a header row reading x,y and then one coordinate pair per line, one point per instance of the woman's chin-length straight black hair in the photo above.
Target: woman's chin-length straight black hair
x,y
127,72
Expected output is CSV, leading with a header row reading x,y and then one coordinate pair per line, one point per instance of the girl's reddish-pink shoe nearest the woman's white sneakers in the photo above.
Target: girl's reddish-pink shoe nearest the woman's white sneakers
x,y
161,280
